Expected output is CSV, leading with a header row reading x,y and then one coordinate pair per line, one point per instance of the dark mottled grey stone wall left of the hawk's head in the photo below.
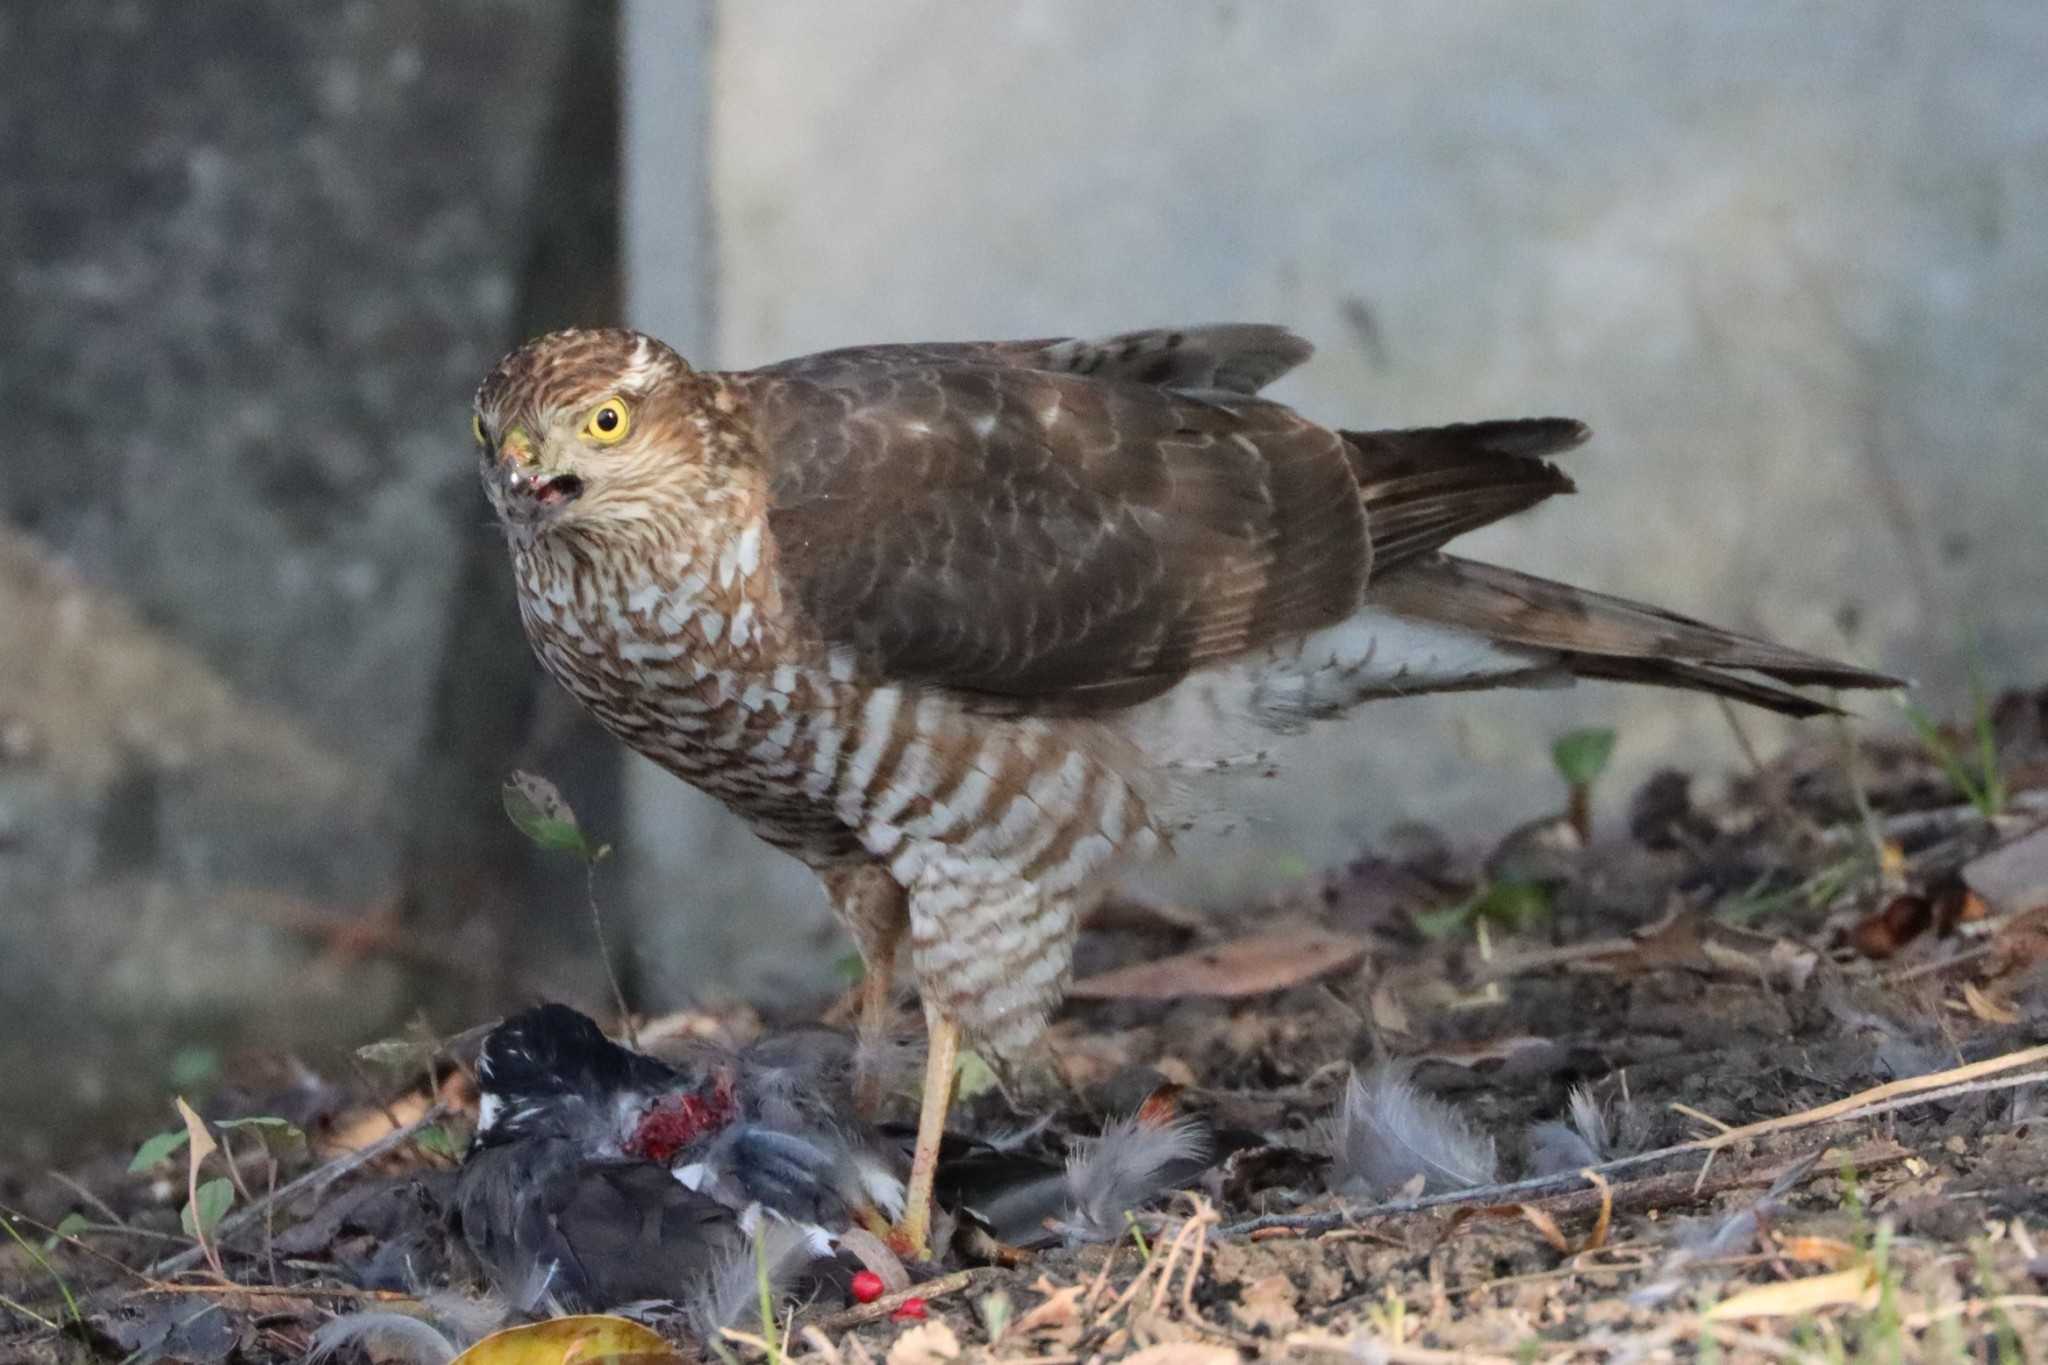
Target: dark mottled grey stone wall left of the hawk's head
x,y
253,263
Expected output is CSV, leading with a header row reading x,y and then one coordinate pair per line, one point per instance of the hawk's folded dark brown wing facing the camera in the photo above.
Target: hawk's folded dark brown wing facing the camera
x,y
970,519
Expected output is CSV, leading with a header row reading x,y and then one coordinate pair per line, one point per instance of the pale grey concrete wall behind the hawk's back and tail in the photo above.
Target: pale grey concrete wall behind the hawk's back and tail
x,y
1789,261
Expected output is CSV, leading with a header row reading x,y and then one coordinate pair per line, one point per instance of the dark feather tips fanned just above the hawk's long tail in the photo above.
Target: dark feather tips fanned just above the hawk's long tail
x,y
1428,486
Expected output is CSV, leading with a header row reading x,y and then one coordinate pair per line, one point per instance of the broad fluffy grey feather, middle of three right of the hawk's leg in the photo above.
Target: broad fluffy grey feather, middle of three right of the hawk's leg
x,y
1390,1133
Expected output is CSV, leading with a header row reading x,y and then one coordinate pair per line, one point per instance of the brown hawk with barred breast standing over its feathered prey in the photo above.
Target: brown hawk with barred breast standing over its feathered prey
x,y
935,617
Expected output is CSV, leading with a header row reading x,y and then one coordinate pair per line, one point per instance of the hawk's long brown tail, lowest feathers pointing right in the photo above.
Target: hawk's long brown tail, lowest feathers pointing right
x,y
1611,637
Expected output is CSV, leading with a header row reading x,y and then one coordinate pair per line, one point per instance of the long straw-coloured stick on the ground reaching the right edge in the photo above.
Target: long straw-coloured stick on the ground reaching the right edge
x,y
1865,1104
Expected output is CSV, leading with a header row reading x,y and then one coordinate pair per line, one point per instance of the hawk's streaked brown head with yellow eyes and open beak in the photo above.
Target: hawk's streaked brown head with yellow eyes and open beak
x,y
577,429
